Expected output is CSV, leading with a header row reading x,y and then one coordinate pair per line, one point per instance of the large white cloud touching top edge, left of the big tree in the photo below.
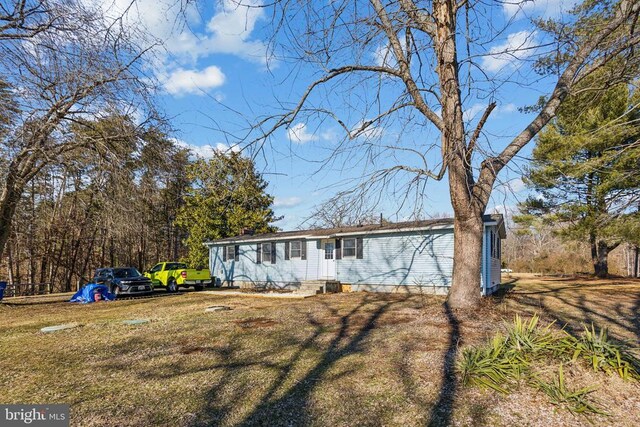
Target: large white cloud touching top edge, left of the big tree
x,y
184,39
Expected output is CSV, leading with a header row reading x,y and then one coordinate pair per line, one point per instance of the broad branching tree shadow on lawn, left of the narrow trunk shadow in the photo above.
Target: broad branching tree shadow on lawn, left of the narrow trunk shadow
x,y
291,406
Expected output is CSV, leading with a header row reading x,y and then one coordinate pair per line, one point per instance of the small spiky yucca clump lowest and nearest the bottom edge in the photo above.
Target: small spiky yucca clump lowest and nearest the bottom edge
x,y
576,401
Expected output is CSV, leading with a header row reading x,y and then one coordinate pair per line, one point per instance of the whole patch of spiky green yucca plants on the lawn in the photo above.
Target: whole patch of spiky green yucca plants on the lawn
x,y
507,359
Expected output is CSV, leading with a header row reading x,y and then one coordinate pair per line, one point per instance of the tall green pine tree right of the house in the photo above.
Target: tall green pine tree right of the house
x,y
585,169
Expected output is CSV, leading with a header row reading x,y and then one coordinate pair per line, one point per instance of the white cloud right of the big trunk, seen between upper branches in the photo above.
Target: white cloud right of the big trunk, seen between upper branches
x,y
517,47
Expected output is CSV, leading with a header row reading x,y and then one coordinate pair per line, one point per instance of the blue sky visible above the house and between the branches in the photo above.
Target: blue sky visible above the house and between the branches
x,y
215,80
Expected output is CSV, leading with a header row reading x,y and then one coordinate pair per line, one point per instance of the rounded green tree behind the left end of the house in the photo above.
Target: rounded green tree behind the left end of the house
x,y
226,195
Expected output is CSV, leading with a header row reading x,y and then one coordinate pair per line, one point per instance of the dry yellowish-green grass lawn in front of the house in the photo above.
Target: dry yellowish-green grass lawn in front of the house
x,y
331,360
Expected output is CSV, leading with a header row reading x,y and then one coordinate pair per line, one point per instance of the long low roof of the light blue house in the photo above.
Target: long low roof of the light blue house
x,y
388,228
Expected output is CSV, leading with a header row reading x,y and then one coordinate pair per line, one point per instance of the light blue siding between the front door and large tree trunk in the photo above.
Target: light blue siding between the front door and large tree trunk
x,y
424,259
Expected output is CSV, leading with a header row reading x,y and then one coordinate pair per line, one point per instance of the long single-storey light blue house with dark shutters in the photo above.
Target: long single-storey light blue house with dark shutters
x,y
414,256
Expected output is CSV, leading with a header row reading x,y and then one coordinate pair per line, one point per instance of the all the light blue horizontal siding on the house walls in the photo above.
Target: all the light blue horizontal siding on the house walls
x,y
390,262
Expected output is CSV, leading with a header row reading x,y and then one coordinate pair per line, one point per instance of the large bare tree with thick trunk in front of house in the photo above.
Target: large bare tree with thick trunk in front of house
x,y
420,63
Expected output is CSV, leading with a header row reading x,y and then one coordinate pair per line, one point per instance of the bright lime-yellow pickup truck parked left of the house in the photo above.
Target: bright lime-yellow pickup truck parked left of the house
x,y
174,275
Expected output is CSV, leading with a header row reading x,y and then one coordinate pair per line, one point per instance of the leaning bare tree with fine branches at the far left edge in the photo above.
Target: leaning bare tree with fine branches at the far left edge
x,y
65,62
